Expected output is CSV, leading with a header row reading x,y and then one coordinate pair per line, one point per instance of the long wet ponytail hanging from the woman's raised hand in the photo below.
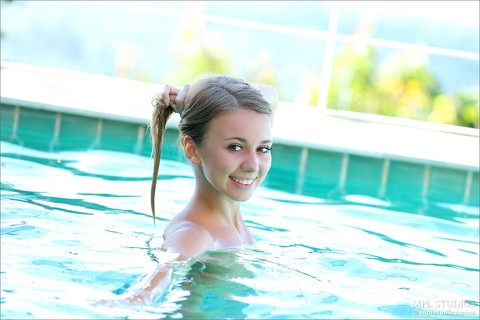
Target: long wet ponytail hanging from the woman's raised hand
x,y
158,124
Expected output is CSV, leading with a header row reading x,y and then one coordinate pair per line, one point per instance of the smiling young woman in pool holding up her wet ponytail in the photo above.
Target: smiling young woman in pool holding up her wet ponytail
x,y
225,130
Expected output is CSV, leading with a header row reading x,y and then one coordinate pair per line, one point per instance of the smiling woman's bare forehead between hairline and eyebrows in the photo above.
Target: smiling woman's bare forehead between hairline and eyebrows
x,y
241,122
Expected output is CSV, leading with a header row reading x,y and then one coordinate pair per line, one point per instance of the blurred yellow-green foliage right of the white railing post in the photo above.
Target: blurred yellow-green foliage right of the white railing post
x,y
401,86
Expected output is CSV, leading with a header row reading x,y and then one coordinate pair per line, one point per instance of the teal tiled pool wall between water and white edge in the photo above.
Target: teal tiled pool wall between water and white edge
x,y
300,170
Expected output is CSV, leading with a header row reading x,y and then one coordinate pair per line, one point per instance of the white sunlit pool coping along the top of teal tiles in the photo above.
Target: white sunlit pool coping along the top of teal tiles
x,y
299,125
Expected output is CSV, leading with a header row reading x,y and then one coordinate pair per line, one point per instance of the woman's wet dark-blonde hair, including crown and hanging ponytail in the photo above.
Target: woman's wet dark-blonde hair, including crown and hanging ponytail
x,y
206,99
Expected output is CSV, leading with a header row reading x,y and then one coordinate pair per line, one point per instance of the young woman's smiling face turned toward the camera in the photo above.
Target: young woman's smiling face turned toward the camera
x,y
235,155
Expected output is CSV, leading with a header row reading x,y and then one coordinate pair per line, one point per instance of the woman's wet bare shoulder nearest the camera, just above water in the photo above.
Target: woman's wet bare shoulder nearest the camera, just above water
x,y
187,238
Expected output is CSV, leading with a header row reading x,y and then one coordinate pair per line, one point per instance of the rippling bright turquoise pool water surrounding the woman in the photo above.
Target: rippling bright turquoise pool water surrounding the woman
x,y
75,227
